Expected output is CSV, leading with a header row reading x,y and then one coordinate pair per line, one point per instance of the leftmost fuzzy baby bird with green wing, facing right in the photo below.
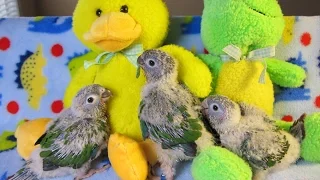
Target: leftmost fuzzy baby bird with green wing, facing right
x,y
73,140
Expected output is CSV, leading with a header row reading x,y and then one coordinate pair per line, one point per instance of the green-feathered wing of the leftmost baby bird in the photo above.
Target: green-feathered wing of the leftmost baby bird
x,y
58,151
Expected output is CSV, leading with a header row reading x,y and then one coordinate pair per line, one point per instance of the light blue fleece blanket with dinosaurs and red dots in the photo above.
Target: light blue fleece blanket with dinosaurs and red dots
x,y
29,91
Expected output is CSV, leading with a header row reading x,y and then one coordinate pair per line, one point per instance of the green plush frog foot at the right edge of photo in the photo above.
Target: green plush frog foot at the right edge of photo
x,y
310,147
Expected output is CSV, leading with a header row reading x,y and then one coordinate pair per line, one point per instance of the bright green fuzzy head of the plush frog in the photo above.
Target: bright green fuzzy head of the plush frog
x,y
241,23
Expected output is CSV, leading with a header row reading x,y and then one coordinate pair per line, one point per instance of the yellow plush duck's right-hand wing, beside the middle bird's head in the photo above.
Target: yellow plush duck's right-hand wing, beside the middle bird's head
x,y
192,71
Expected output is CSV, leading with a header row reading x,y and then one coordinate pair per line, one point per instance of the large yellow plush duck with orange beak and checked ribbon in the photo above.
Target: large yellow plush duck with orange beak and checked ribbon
x,y
117,32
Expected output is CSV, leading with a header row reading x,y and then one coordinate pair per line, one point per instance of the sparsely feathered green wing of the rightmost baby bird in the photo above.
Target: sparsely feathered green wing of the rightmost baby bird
x,y
261,157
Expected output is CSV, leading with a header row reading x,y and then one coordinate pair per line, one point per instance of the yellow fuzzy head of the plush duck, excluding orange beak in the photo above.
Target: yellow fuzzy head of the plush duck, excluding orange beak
x,y
152,15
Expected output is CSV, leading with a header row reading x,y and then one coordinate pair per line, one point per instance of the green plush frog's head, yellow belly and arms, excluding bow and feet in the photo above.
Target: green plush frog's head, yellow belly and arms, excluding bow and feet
x,y
249,25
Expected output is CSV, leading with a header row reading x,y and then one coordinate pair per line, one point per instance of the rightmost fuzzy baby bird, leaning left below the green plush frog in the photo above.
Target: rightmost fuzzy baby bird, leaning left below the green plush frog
x,y
251,134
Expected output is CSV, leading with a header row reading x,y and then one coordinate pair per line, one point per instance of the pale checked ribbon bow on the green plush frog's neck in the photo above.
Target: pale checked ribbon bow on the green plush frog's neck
x,y
233,52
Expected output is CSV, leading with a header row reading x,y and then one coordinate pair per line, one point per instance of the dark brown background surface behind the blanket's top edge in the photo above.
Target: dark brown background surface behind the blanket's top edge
x,y
176,7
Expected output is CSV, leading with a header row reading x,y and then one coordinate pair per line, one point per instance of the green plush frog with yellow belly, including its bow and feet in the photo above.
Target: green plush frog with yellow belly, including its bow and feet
x,y
240,37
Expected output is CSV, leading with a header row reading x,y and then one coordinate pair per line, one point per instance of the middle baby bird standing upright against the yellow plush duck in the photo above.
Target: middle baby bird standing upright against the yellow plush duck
x,y
169,113
